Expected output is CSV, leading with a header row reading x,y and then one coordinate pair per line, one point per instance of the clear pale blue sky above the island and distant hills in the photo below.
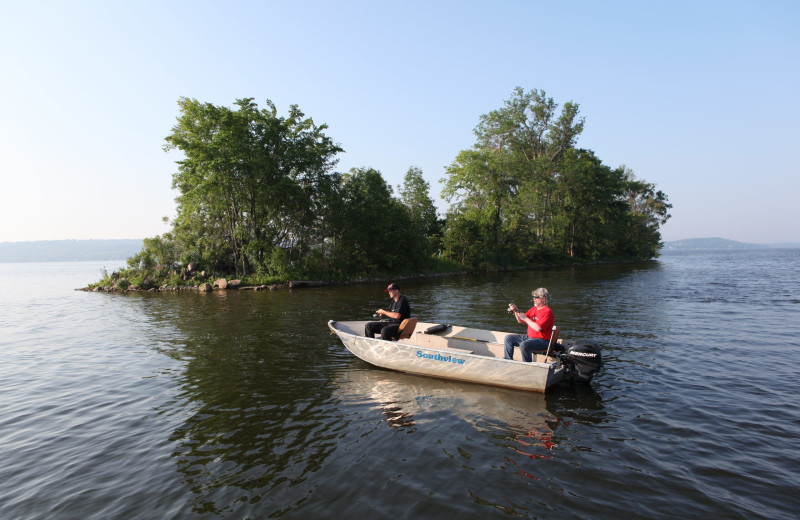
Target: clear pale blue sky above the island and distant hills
x,y
698,97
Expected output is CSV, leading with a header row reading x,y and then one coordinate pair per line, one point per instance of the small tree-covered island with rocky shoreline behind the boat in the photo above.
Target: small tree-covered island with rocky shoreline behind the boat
x,y
259,200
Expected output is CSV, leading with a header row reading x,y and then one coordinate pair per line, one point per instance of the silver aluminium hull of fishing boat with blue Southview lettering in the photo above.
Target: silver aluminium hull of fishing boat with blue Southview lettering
x,y
448,359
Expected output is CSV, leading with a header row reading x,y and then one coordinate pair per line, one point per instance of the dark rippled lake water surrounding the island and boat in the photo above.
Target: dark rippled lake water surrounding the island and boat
x,y
240,404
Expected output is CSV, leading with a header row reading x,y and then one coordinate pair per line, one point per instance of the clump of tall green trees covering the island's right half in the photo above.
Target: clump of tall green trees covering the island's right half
x,y
524,192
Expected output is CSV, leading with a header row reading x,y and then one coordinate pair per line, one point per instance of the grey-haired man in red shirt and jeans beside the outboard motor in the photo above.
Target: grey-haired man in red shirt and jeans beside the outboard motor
x,y
539,320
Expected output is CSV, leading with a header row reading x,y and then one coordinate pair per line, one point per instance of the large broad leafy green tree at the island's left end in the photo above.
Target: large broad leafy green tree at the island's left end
x,y
246,182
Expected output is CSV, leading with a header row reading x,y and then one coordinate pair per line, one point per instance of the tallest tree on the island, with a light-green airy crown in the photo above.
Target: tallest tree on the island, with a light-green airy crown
x,y
508,180
